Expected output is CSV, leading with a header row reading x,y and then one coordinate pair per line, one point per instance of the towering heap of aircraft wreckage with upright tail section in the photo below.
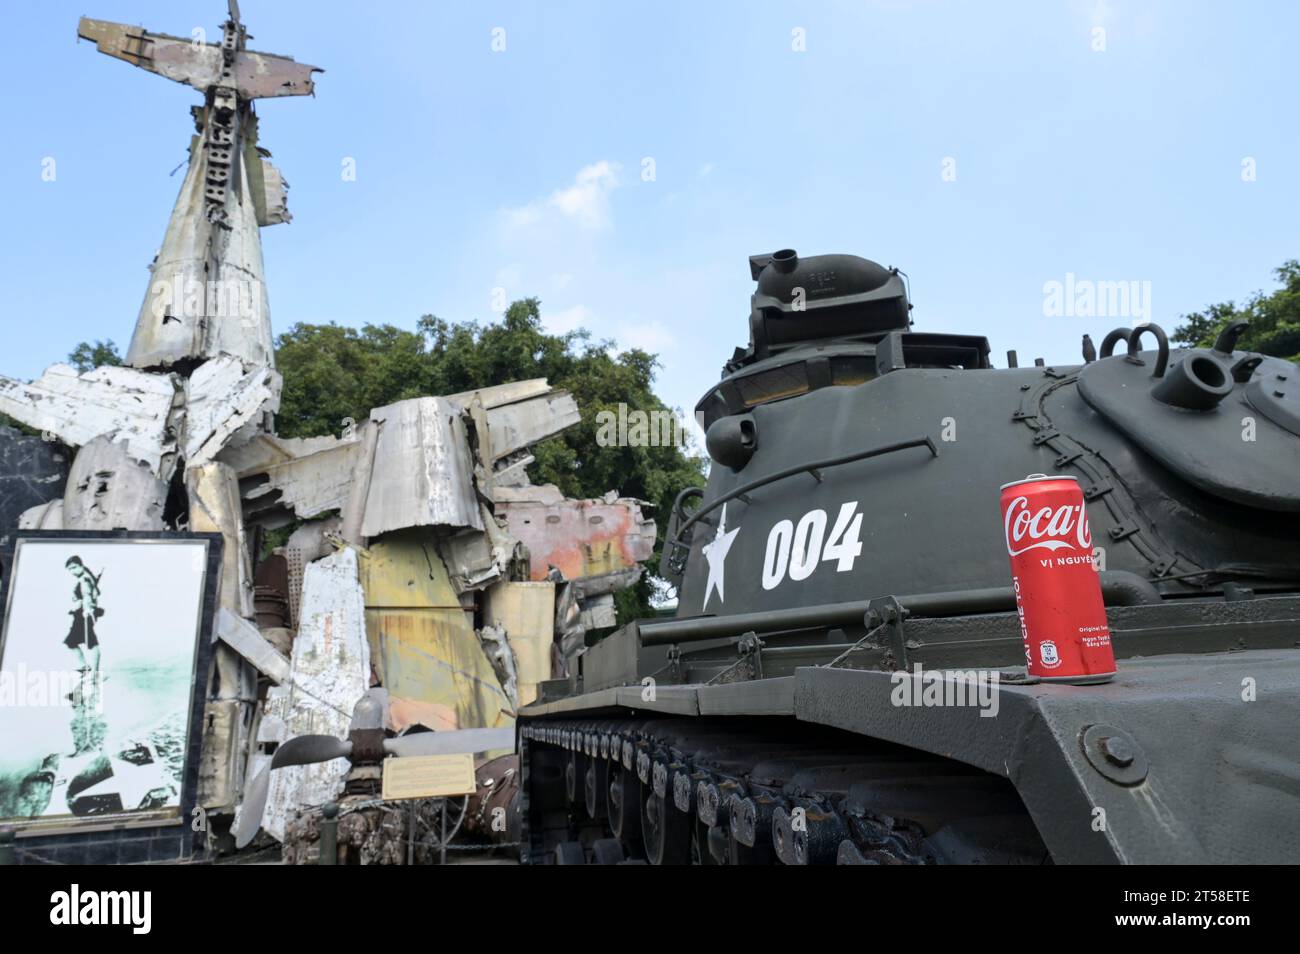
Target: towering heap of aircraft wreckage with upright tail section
x,y
427,586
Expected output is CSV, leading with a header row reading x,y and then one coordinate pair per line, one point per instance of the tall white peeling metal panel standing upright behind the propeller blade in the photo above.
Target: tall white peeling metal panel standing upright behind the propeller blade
x,y
331,670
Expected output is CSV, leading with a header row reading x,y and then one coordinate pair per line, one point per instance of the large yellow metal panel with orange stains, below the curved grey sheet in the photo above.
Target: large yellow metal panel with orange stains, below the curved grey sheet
x,y
423,643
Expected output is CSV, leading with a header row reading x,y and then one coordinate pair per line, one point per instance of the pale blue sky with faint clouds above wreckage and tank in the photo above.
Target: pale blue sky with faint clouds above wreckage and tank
x,y
525,170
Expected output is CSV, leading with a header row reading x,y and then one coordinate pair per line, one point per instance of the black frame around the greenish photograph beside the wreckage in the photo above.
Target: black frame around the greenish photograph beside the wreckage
x,y
120,838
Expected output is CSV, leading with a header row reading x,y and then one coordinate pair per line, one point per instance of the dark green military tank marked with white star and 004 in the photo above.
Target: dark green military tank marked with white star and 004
x,y
848,550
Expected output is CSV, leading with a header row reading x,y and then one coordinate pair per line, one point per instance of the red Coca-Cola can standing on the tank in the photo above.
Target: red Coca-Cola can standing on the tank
x,y
1056,583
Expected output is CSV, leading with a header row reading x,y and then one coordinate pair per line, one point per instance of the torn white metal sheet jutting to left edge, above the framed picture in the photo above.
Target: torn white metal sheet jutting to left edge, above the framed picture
x,y
140,410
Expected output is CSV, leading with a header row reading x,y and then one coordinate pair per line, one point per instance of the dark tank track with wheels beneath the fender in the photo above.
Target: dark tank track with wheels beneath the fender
x,y
765,791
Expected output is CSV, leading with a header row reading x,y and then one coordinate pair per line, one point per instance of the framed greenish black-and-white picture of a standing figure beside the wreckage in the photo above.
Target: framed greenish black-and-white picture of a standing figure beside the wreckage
x,y
105,656
